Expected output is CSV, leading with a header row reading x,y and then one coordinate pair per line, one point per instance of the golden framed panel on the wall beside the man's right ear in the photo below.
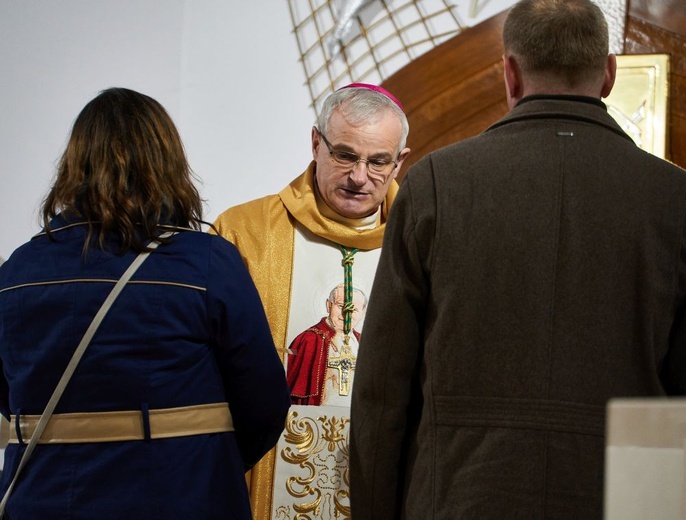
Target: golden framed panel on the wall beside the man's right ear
x,y
638,101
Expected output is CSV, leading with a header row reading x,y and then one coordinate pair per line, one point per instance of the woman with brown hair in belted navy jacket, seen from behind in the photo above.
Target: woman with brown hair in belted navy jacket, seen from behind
x,y
180,390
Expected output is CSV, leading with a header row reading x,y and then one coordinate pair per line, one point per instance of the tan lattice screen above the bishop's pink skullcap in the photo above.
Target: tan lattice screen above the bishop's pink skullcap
x,y
384,37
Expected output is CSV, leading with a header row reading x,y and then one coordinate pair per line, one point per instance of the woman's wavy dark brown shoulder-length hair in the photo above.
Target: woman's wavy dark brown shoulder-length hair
x,y
124,172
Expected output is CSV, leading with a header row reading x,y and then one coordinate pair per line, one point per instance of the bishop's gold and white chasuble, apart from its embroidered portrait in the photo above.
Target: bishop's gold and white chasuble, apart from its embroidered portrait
x,y
291,246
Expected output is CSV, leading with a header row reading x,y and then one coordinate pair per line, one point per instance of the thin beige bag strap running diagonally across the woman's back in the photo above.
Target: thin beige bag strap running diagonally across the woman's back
x,y
76,357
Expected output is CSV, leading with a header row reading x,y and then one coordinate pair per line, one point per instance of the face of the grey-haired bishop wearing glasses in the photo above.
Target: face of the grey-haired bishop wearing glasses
x,y
349,190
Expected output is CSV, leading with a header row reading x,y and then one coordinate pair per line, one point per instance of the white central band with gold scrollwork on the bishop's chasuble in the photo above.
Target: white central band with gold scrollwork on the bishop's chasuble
x,y
311,477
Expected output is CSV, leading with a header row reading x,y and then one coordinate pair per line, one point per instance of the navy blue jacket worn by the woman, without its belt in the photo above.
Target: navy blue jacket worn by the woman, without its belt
x,y
188,329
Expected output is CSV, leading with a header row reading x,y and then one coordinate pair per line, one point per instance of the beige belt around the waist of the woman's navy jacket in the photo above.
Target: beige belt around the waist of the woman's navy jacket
x,y
126,425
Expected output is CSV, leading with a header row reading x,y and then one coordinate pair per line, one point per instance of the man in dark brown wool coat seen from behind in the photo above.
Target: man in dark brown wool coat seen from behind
x,y
530,273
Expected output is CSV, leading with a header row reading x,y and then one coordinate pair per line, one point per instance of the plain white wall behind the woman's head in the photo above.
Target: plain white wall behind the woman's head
x,y
226,70
